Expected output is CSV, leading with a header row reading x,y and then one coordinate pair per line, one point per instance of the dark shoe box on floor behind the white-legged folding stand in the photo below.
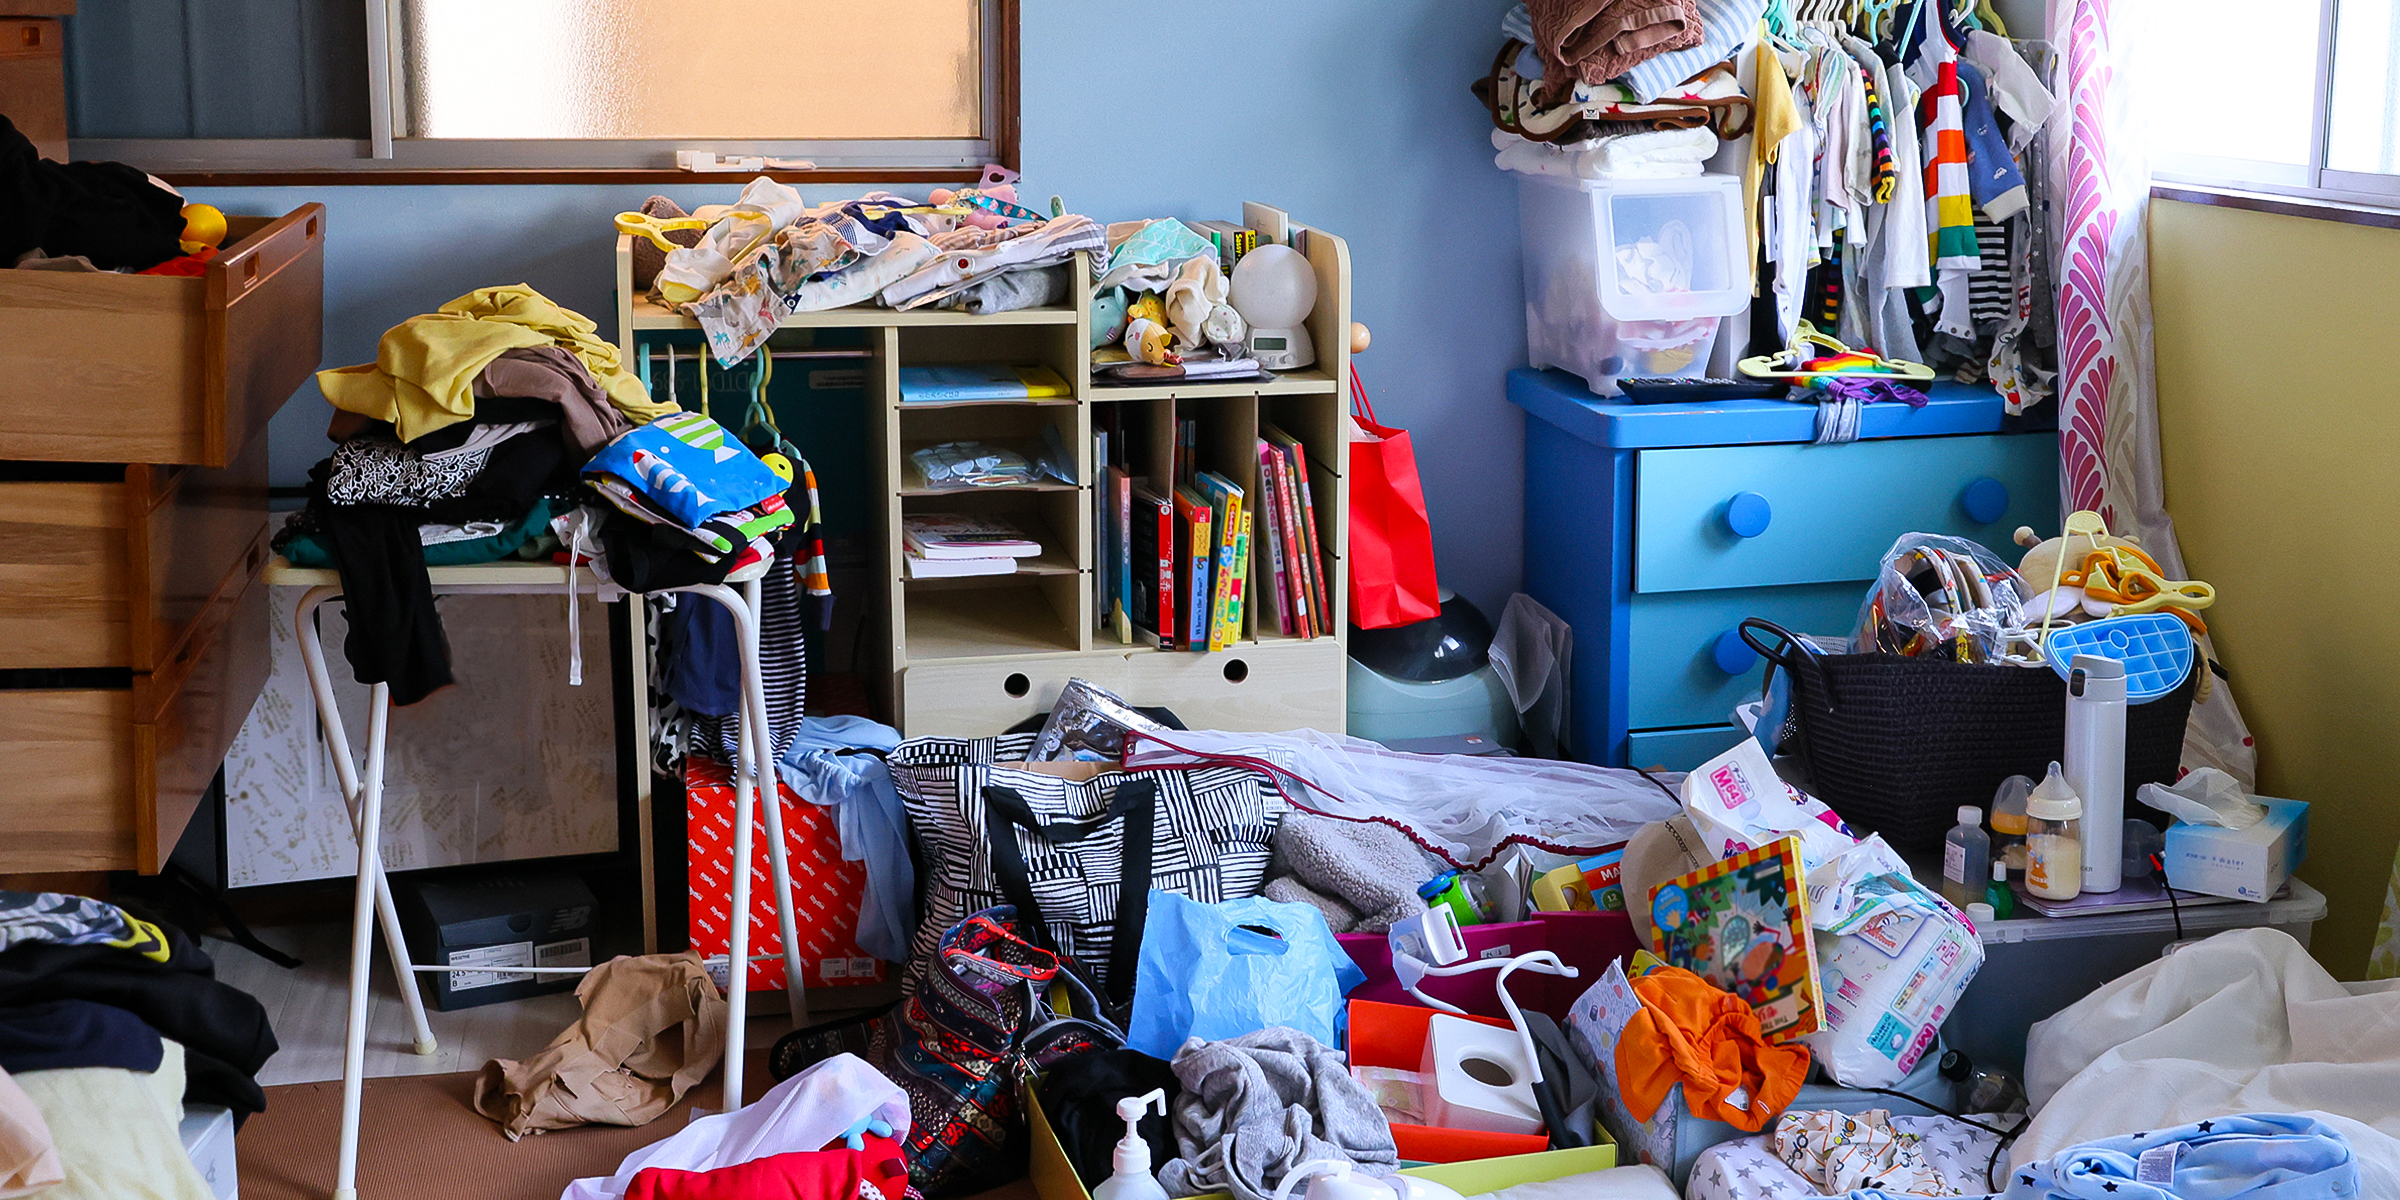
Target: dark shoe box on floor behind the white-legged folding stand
x,y
491,925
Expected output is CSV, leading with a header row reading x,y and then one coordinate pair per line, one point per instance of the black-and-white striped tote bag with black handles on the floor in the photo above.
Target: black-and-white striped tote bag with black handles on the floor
x,y
1081,853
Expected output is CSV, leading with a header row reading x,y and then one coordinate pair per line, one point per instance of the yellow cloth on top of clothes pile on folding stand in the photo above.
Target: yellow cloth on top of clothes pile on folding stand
x,y
424,373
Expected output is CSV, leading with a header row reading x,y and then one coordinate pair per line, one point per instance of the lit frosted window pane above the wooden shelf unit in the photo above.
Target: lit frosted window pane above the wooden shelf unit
x,y
733,71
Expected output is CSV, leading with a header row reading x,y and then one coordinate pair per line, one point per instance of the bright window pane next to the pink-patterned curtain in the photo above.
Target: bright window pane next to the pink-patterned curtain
x,y
2202,109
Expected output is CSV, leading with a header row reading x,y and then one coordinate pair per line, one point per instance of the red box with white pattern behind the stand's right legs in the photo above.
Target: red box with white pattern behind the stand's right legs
x,y
827,892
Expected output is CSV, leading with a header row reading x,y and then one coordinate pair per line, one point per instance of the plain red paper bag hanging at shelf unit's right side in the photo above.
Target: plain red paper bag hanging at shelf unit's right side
x,y
1391,556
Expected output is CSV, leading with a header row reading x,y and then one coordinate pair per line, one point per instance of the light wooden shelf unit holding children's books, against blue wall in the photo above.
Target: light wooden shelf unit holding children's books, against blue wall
x,y
973,656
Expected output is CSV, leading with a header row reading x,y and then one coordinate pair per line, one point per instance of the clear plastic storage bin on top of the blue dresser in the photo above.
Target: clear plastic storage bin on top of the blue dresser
x,y
1631,277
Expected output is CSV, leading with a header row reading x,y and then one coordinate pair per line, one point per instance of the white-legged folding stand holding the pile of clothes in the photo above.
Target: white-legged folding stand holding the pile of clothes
x,y
364,796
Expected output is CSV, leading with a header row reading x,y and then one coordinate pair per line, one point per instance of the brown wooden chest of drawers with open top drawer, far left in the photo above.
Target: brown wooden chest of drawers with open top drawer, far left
x,y
133,532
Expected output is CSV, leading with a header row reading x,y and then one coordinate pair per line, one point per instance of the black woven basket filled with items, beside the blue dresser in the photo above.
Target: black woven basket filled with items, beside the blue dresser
x,y
1897,745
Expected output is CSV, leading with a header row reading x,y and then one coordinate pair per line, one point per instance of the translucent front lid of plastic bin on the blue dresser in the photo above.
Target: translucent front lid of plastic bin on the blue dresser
x,y
1672,251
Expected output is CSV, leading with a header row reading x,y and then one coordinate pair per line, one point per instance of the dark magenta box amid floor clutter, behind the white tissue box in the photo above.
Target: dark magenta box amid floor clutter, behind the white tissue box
x,y
1588,942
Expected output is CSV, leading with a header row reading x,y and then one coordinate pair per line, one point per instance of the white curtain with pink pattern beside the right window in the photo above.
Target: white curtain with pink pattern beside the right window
x,y
2108,385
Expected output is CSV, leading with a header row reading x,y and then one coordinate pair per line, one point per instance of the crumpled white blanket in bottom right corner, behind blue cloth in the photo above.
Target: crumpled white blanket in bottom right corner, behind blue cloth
x,y
2238,1024
